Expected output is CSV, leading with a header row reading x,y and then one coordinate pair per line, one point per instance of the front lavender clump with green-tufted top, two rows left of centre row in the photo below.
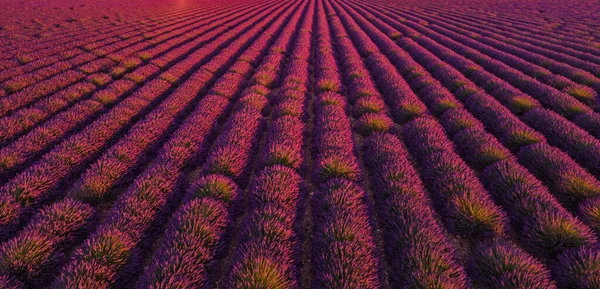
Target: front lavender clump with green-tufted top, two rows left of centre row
x,y
193,234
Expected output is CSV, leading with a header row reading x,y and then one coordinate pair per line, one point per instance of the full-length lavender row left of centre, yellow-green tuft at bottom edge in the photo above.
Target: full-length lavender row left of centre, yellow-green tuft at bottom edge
x,y
268,238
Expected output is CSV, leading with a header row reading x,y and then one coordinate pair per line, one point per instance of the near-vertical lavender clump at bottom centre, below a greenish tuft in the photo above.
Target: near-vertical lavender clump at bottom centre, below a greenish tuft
x,y
343,249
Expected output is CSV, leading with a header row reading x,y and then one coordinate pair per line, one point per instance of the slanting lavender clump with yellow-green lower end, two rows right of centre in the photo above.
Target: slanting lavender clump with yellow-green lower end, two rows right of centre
x,y
467,204
